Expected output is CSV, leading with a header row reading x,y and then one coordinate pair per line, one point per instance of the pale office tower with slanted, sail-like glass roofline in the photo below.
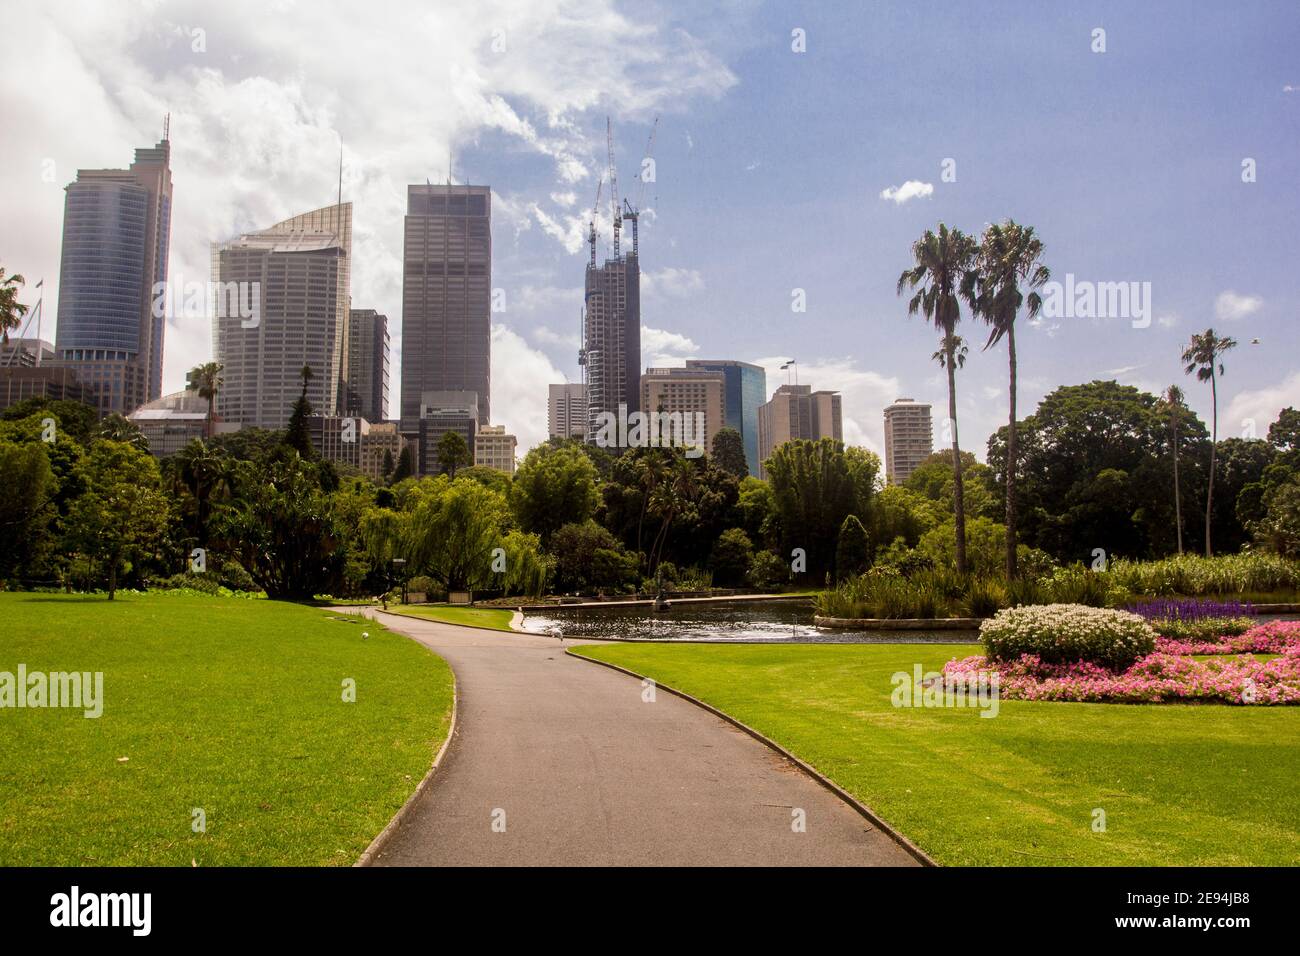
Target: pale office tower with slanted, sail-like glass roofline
x,y
296,276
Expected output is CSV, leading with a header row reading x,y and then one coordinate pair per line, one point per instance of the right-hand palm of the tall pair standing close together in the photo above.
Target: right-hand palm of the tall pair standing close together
x,y
1009,256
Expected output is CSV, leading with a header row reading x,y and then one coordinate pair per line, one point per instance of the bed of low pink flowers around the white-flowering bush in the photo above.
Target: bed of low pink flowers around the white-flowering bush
x,y
1159,677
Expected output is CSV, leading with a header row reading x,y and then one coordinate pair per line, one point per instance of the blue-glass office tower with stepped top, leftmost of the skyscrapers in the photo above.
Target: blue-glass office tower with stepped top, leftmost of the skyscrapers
x,y
118,226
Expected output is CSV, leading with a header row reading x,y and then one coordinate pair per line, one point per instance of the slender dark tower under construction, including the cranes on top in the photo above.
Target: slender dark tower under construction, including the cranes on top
x,y
612,313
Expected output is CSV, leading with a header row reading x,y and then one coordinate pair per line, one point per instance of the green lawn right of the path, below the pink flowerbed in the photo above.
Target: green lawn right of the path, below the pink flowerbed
x,y
1181,785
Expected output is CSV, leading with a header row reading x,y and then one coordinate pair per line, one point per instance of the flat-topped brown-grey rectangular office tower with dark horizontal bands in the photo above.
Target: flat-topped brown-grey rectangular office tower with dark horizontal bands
x,y
447,297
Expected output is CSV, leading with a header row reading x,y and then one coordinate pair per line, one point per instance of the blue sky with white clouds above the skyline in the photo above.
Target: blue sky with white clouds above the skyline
x,y
800,152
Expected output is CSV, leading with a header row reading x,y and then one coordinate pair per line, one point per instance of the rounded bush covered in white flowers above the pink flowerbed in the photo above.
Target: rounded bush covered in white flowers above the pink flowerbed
x,y
1067,634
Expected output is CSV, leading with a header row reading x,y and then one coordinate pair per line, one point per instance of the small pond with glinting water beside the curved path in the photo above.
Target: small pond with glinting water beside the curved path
x,y
788,622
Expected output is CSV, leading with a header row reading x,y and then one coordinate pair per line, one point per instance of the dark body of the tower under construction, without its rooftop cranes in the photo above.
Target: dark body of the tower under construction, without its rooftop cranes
x,y
612,339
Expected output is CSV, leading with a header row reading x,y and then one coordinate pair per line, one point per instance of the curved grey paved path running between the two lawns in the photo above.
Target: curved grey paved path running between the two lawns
x,y
590,775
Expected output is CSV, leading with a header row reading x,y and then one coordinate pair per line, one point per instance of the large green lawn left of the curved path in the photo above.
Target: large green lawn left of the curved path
x,y
224,704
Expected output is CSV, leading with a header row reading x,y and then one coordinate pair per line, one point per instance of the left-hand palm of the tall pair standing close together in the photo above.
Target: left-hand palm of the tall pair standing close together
x,y
943,263
